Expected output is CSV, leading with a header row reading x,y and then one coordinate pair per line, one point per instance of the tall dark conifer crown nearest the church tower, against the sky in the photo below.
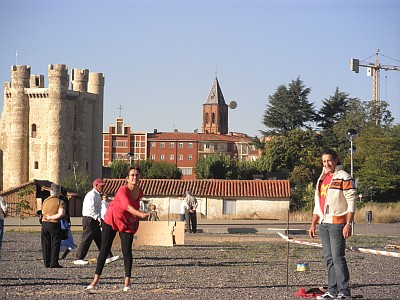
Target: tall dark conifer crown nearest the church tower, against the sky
x,y
288,109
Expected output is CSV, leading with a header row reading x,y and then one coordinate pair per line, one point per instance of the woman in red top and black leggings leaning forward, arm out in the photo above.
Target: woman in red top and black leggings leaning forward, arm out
x,y
122,216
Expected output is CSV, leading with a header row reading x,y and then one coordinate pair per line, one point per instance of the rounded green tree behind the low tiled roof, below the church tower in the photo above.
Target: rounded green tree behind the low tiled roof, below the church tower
x,y
216,166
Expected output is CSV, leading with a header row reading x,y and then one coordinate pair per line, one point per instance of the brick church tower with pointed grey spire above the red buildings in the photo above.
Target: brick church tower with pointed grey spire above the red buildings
x,y
215,111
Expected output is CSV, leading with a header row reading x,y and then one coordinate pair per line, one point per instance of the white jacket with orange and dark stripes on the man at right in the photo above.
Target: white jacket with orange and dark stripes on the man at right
x,y
341,198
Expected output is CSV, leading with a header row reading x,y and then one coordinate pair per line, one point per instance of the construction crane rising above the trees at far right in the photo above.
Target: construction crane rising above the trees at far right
x,y
374,71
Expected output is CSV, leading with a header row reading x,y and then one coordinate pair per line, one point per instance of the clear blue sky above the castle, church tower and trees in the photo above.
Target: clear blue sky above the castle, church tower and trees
x,y
160,57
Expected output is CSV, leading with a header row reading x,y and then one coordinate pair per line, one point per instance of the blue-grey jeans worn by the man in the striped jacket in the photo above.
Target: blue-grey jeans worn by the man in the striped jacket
x,y
334,247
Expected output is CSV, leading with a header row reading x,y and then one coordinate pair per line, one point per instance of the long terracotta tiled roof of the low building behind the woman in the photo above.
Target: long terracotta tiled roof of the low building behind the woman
x,y
207,187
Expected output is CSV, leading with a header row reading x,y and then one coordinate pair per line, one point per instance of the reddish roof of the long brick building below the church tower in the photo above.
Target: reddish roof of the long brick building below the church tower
x,y
188,136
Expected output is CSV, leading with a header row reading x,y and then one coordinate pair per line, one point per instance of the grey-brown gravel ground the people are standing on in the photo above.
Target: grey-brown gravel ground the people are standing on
x,y
208,266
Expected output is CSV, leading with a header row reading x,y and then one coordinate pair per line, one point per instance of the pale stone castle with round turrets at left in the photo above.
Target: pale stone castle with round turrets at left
x,y
46,132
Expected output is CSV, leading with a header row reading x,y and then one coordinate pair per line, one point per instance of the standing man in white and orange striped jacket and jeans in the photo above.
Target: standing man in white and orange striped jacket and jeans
x,y
335,203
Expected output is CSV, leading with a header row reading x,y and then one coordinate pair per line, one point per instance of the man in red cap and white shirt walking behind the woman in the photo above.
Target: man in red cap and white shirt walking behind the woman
x,y
91,221
